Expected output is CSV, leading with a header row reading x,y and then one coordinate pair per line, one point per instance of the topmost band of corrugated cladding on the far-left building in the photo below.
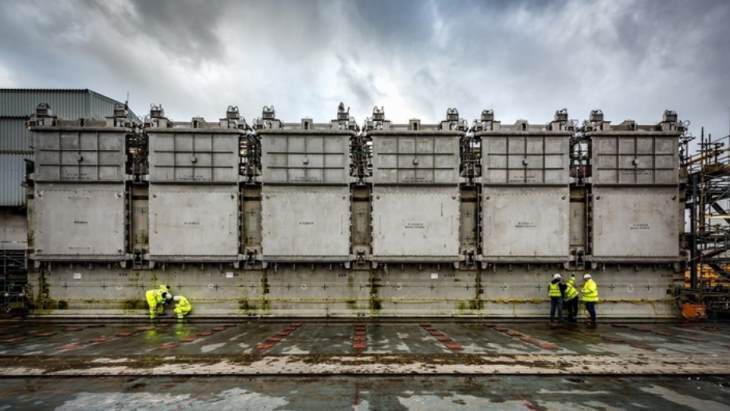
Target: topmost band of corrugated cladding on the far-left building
x,y
65,103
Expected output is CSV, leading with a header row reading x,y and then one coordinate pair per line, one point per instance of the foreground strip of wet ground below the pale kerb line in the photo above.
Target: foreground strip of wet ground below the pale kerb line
x,y
367,393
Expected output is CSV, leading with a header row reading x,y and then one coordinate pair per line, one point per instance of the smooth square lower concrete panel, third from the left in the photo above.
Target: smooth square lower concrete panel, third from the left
x,y
306,223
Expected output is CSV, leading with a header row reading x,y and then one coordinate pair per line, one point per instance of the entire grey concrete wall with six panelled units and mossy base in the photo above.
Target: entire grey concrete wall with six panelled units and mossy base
x,y
313,219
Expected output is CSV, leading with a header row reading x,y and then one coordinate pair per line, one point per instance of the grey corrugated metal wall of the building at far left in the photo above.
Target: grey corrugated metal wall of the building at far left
x,y
16,105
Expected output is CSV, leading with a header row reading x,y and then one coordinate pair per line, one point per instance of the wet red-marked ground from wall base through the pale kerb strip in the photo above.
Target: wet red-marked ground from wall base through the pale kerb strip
x,y
369,347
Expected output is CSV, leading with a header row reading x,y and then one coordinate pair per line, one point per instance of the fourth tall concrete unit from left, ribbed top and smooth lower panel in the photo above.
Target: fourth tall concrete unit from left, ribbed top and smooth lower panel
x,y
415,195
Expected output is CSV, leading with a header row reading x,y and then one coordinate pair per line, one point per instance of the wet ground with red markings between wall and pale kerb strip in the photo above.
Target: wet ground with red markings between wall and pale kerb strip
x,y
358,338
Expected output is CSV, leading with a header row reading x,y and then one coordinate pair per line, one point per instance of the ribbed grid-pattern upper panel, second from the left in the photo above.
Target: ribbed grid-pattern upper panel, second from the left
x,y
194,155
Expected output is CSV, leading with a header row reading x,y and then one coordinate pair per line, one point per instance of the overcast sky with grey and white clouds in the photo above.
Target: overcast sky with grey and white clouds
x,y
633,59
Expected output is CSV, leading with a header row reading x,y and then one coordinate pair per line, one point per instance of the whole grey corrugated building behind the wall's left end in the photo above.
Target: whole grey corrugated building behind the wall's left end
x,y
16,149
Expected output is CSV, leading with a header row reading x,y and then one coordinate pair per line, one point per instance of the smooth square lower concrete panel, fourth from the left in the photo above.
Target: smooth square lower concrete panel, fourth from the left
x,y
420,222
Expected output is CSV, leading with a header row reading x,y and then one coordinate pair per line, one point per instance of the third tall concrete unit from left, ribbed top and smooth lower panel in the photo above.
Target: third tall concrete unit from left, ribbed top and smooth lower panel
x,y
305,190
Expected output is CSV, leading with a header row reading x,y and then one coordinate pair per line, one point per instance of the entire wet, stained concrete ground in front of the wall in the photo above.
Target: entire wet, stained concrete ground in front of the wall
x,y
319,364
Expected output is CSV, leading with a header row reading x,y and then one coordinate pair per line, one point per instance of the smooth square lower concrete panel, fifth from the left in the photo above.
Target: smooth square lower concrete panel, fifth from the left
x,y
525,223
